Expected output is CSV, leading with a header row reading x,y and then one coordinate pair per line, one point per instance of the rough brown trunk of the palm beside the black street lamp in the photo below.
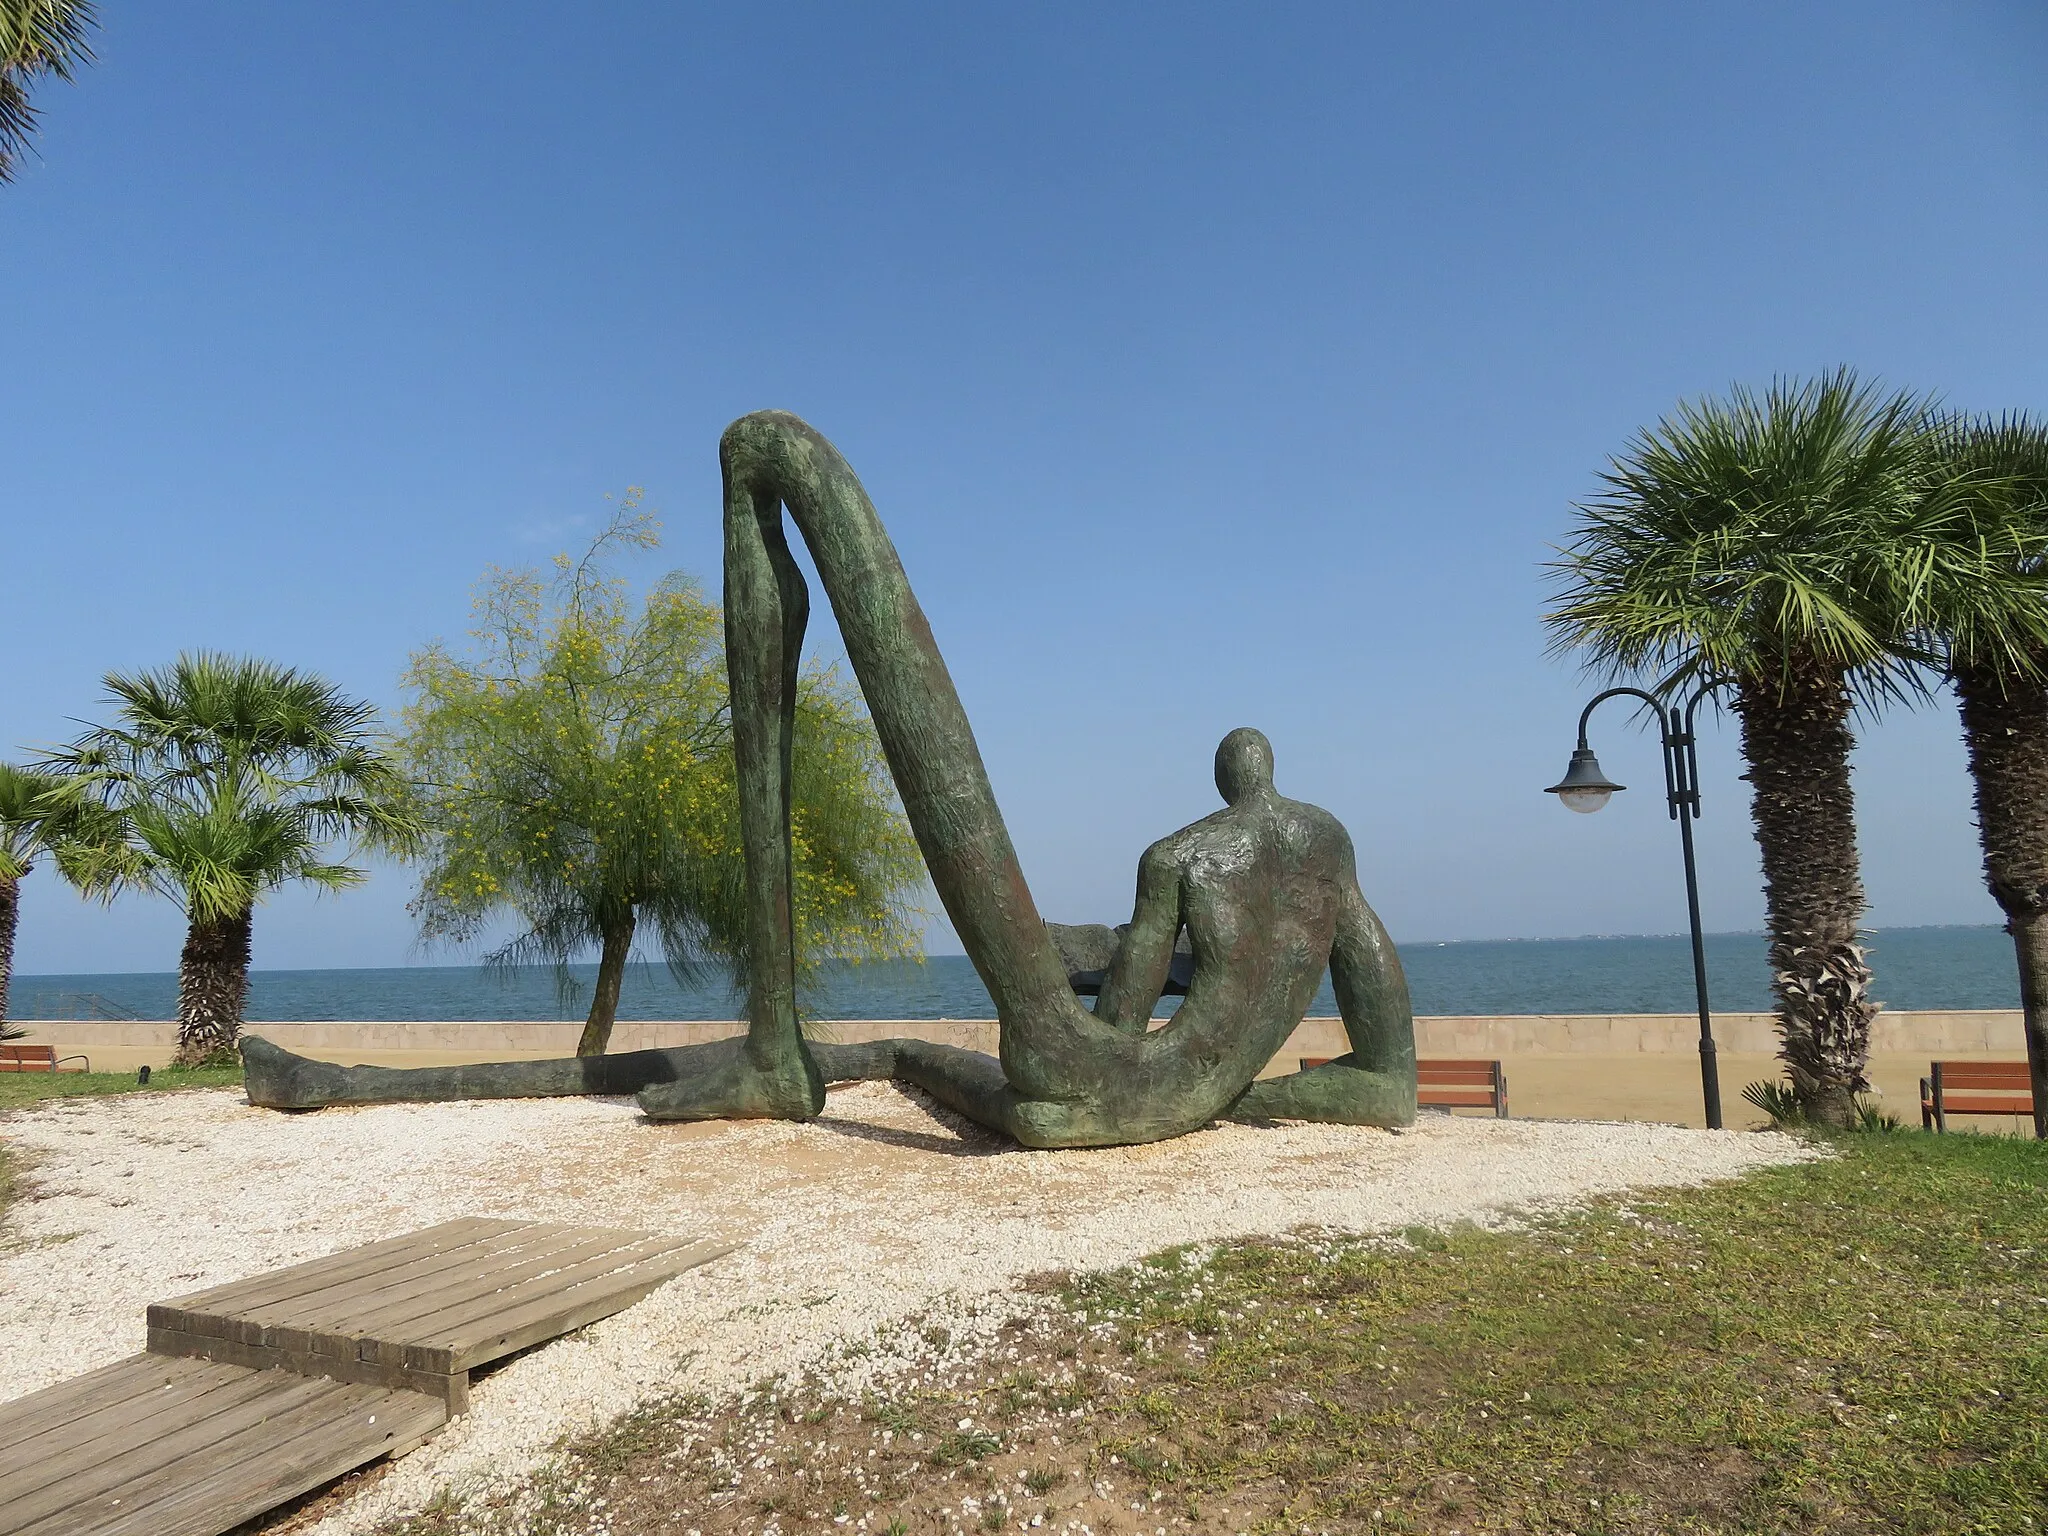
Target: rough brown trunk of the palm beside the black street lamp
x,y
1797,740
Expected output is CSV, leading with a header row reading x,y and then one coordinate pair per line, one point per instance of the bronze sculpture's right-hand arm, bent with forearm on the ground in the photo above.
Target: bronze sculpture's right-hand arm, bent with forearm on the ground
x,y
1375,1084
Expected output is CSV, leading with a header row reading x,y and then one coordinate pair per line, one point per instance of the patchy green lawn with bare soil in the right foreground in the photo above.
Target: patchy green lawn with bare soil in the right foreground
x,y
1857,1345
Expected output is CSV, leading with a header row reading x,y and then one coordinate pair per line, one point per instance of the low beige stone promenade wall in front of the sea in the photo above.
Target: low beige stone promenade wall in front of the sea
x,y
1502,1035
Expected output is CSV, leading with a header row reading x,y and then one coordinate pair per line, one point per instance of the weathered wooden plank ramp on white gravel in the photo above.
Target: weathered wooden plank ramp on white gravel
x,y
263,1390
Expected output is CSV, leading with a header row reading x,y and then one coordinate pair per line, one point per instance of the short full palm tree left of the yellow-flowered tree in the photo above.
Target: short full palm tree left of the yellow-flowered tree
x,y
222,781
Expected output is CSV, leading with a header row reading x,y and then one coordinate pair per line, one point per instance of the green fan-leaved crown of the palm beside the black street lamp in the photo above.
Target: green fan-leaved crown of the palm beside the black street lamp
x,y
1758,536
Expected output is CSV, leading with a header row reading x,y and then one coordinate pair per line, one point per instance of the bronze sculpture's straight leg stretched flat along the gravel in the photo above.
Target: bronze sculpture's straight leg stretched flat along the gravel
x,y
280,1080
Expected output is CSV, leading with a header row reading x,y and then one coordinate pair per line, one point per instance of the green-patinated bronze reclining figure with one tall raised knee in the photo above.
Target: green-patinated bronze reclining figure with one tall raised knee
x,y
1265,888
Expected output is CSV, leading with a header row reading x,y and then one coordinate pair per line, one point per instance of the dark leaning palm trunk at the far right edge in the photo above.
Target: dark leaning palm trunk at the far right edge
x,y
2006,732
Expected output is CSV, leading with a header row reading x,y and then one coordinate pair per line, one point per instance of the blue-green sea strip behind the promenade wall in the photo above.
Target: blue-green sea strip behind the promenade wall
x,y
1916,968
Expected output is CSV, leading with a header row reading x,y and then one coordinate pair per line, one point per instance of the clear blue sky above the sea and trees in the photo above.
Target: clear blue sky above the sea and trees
x,y
1211,366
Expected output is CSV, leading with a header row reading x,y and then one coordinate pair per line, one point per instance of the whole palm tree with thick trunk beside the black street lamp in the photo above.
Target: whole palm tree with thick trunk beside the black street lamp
x,y
1781,544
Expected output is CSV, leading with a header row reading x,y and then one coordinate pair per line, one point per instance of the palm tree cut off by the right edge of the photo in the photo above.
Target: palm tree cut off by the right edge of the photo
x,y
1996,642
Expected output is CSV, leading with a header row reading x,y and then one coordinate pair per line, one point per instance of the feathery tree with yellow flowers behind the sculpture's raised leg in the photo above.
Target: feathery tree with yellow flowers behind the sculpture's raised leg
x,y
577,771
